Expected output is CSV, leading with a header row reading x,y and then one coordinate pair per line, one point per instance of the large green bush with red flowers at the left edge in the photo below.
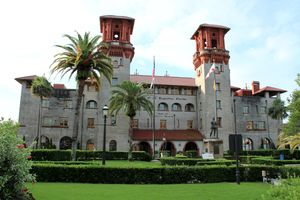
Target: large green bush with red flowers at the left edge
x,y
14,163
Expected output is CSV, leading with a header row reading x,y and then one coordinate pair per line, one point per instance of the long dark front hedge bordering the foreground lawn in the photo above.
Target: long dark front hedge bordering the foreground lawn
x,y
162,175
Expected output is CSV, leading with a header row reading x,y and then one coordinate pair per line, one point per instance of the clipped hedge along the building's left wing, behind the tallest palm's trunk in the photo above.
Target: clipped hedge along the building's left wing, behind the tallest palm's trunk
x,y
65,155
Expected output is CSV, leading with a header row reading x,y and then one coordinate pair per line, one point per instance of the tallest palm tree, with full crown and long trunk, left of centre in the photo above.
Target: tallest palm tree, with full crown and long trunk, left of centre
x,y
84,58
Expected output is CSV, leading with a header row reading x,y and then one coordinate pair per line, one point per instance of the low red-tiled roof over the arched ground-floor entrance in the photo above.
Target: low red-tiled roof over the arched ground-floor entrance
x,y
187,135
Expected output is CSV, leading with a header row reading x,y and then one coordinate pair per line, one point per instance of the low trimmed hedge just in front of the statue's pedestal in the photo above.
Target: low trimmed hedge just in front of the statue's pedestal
x,y
175,161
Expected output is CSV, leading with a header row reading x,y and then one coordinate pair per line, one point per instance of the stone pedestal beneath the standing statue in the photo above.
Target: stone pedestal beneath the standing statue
x,y
214,146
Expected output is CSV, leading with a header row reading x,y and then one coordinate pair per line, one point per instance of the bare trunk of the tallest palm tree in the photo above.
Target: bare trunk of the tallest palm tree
x,y
76,118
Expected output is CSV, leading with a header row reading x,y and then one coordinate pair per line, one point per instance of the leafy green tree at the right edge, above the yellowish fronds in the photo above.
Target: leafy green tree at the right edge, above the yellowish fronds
x,y
293,125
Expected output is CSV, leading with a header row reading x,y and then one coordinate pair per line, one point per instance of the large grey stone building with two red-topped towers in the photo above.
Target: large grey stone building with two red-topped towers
x,y
184,106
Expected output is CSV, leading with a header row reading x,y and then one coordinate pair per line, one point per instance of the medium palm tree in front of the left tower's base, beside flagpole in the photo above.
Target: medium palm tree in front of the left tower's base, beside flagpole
x,y
129,97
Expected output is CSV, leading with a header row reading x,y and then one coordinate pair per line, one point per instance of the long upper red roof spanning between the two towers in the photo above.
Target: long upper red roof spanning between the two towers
x,y
164,80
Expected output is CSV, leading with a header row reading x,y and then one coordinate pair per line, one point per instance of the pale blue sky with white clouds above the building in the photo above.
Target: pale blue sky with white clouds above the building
x,y
264,38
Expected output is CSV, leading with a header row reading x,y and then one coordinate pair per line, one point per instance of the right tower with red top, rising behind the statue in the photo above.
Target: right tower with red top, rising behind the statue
x,y
214,92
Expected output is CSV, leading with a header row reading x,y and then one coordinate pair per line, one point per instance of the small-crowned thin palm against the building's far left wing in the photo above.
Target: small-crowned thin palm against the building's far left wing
x,y
42,88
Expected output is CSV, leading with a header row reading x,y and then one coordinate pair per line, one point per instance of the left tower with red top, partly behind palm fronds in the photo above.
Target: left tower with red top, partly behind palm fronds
x,y
116,32
